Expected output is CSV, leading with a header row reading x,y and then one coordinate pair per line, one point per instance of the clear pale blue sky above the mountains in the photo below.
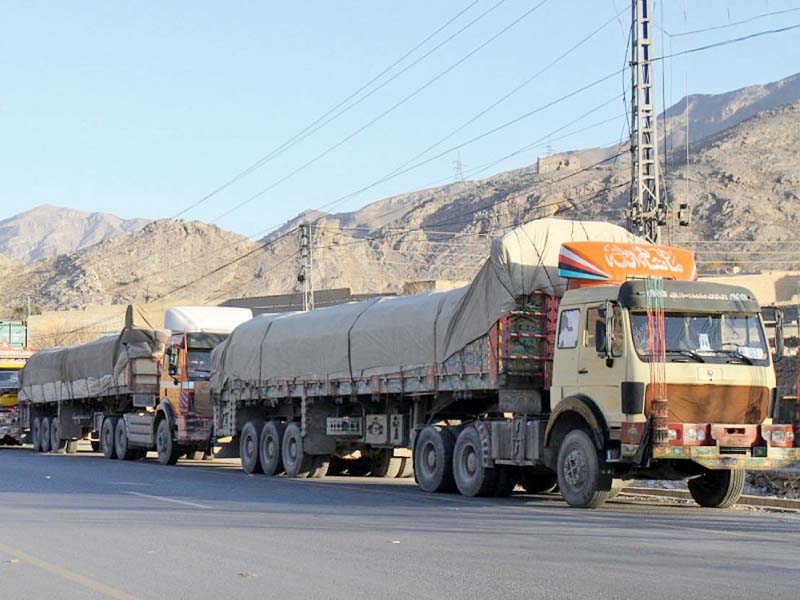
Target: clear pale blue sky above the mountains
x,y
143,109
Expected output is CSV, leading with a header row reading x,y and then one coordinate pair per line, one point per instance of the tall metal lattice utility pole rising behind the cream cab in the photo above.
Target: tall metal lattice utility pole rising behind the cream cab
x,y
646,213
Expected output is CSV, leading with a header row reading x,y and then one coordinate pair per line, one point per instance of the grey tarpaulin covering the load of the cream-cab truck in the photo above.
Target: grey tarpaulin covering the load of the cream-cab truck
x,y
392,335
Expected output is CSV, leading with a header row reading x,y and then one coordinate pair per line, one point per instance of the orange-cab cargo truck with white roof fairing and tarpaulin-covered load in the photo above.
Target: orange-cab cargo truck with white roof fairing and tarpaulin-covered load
x,y
131,393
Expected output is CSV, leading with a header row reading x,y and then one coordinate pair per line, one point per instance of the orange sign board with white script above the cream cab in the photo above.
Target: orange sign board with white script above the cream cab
x,y
593,263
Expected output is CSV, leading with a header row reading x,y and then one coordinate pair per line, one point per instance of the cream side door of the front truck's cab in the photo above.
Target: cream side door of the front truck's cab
x,y
598,377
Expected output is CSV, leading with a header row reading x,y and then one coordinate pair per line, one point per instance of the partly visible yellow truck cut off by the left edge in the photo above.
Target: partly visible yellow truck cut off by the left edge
x,y
13,356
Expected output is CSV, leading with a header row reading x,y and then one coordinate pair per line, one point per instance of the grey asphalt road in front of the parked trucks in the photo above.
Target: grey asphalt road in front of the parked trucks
x,y
84,527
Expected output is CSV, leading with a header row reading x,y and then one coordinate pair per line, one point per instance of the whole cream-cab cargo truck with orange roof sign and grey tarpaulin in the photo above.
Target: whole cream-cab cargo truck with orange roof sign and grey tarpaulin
x,y
580,356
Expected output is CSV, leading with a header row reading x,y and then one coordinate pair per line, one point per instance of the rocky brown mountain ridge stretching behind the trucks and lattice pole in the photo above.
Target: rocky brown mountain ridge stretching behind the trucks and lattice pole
x,y
741,181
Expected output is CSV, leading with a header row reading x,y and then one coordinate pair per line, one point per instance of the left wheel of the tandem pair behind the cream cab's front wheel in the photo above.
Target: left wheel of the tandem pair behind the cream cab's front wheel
x,y
433,459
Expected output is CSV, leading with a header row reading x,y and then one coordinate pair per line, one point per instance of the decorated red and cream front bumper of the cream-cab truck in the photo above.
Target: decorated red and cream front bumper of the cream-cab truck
x,y
718,446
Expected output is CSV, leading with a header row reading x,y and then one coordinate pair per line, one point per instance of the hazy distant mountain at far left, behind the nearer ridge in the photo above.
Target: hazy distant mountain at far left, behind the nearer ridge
x,y
46,231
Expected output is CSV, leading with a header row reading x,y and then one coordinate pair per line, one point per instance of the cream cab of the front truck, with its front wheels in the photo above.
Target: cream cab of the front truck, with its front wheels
x,y
662,379
